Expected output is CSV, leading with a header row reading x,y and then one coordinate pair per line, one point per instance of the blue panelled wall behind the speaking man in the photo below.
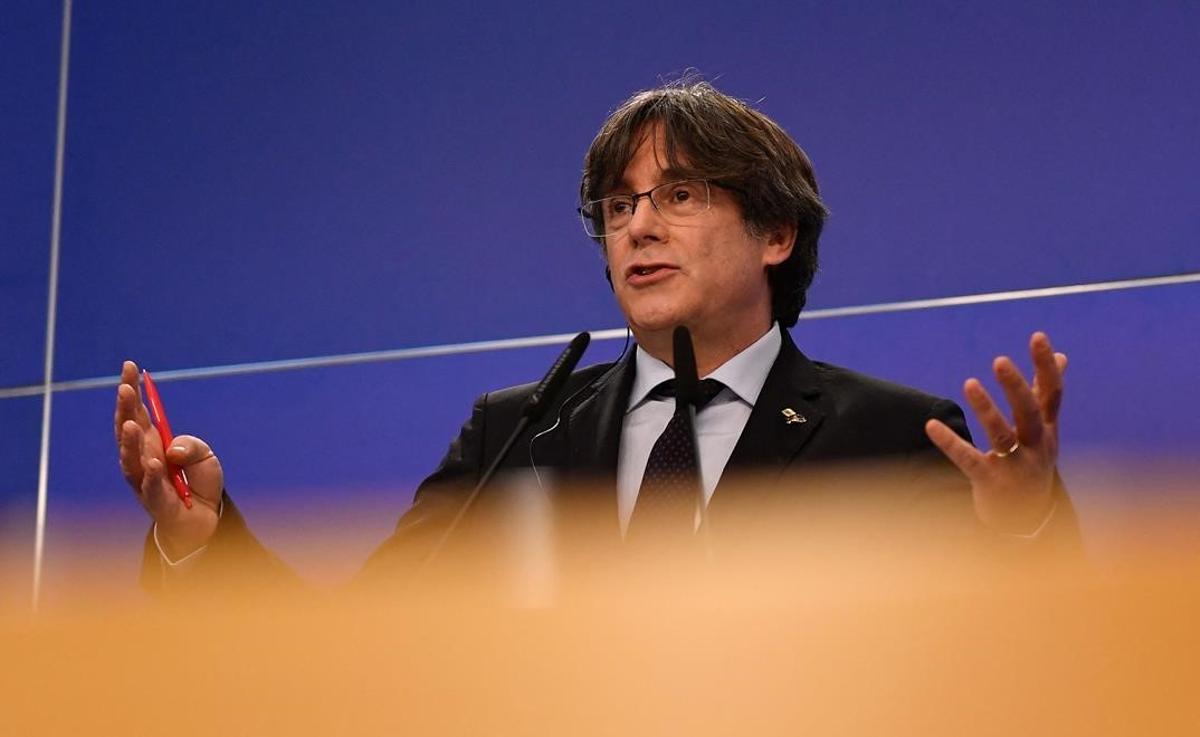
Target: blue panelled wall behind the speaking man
x,y
255,182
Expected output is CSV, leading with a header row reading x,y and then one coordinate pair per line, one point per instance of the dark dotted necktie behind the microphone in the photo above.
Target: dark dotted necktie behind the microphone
x,y
670,487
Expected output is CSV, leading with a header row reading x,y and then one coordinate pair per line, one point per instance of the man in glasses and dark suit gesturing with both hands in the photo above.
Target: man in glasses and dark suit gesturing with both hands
x,y
709,215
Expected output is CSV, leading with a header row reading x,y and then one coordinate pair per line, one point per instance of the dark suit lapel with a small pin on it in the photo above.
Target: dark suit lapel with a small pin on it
x,y
784,418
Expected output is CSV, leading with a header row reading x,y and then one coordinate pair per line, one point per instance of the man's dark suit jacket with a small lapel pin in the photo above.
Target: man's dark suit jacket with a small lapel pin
x,y
844,420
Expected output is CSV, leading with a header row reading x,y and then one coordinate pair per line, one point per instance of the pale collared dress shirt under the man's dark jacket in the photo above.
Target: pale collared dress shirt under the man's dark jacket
x,y
718,428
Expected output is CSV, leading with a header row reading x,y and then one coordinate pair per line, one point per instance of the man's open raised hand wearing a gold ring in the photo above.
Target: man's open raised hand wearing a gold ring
x,y
1013,482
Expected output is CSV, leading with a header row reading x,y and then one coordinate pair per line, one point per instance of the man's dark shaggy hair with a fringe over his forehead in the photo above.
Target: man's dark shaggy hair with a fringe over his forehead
x,y
712,136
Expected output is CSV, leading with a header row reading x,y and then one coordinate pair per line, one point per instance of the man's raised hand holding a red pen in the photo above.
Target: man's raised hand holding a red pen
x,y
143,462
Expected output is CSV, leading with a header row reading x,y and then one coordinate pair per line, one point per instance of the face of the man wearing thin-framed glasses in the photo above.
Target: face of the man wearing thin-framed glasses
x,y
706,272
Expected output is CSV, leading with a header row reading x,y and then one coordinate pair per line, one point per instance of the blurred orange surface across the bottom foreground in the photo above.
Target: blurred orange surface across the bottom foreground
x,y
847,636
